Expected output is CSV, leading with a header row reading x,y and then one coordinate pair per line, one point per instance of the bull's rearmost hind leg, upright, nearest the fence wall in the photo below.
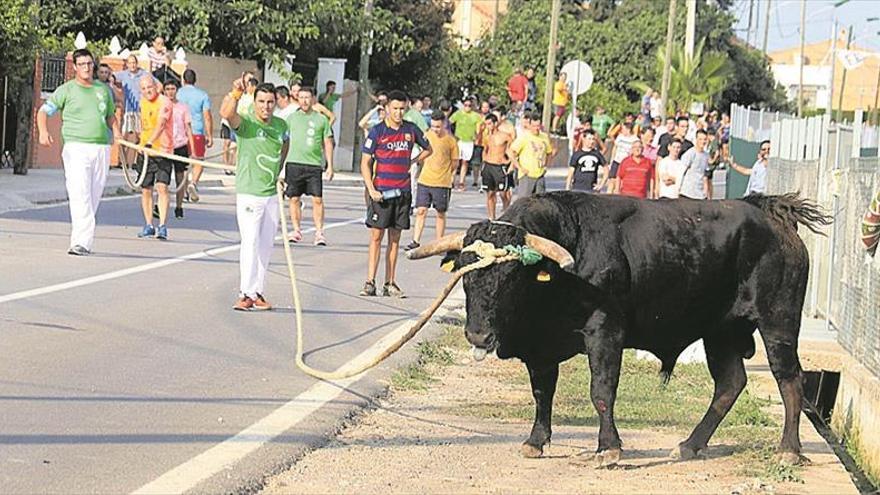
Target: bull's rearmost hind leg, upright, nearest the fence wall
x,y
781,344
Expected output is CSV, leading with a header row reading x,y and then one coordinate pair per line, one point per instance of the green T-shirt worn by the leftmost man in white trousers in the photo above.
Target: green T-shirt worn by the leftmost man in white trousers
x,y
84,111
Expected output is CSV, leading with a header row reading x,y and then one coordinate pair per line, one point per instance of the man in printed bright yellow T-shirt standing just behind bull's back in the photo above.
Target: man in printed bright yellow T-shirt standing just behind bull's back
x,y
529,154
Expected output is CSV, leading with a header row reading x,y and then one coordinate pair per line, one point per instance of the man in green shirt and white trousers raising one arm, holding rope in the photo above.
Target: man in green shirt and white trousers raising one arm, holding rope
x,y
263,141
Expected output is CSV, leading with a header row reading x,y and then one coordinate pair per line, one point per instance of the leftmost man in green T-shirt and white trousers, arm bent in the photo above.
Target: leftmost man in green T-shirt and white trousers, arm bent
x,y
88,114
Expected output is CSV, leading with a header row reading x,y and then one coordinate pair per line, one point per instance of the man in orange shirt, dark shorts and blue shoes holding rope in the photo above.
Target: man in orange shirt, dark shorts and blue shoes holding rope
x,y
157,133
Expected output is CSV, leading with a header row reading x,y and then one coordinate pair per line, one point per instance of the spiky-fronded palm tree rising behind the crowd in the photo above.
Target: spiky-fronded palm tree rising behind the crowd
x,y
692,79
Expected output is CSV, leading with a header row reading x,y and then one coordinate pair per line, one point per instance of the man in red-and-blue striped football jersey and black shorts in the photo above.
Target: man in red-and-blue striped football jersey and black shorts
x,y
389,144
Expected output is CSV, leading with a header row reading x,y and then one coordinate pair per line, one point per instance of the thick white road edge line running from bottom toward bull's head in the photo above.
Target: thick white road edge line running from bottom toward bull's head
x,y
224,455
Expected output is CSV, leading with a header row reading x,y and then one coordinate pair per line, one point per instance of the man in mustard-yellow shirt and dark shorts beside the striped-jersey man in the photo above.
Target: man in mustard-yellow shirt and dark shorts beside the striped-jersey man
x,y
435,181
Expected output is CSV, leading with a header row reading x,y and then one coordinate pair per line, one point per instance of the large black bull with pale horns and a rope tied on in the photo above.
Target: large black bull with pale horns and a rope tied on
x,y
652,275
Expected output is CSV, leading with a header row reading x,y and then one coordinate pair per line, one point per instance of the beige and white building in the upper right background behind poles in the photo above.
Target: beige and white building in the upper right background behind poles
x,y
861,83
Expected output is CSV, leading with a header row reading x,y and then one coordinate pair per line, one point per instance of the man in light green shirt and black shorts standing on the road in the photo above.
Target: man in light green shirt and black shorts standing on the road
x,y
311,140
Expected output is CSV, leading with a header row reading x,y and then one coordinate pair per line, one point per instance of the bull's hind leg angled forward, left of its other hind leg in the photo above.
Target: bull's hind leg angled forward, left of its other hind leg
x,y
729,374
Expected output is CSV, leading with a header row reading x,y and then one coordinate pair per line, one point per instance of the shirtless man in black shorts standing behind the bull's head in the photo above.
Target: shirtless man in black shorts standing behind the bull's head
x,y
496,161
